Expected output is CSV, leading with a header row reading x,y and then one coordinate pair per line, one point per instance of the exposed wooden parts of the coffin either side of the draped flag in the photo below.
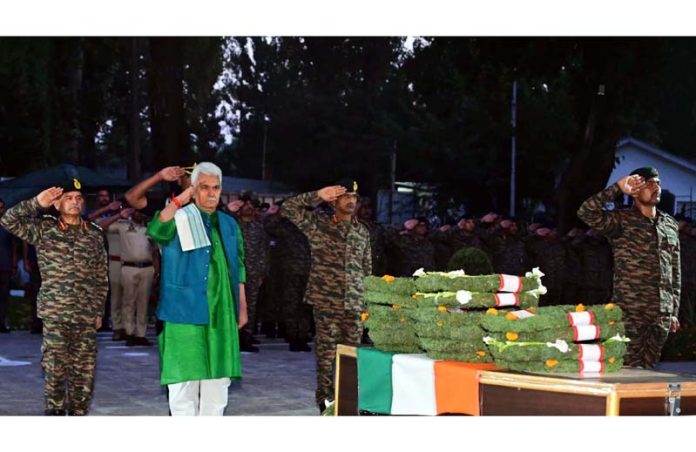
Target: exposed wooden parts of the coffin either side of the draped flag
x,y
628,392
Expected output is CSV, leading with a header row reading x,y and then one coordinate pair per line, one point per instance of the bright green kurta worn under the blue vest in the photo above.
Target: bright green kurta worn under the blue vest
x,y
201,352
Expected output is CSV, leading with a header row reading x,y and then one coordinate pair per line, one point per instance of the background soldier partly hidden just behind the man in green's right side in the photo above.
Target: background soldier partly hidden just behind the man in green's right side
x,y
256,248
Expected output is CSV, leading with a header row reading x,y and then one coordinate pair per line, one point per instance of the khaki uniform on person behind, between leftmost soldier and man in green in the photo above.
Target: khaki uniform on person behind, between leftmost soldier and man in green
x,y
136,276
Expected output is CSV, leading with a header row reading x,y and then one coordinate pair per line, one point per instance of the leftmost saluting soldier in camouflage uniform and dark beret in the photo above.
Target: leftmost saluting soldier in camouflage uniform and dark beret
x,y
72,260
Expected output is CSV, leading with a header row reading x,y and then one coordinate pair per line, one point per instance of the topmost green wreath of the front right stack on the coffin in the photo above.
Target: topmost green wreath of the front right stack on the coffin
x,y
548,318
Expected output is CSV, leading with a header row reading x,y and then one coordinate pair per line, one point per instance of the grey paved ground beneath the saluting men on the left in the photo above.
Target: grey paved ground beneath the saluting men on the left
x,y
275,381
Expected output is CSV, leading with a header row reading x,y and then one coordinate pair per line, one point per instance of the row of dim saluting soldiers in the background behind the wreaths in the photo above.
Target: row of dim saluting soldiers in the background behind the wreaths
x,y
577,266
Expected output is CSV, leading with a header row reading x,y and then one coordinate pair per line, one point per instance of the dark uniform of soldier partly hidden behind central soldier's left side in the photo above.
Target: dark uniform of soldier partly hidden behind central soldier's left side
x,y
290,263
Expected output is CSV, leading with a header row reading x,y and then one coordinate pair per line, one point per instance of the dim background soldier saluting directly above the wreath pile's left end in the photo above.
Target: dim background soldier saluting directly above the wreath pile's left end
x,y
411,248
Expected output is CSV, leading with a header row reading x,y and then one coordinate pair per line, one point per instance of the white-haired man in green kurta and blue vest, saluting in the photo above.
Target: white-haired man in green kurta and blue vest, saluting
x,y
202,302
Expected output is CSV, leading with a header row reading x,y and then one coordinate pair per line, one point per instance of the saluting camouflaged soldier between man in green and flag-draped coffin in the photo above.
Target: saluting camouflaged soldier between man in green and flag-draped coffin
x,y
341,258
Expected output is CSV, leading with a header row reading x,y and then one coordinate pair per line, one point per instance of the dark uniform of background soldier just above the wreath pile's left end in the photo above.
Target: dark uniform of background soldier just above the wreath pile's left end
x,y
410,253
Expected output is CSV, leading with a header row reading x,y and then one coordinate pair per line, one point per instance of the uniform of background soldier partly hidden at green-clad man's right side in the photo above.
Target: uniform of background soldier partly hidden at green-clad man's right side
x,y
256,261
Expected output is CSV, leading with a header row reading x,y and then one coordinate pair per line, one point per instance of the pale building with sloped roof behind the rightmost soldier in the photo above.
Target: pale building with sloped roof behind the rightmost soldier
x,y
677,174
